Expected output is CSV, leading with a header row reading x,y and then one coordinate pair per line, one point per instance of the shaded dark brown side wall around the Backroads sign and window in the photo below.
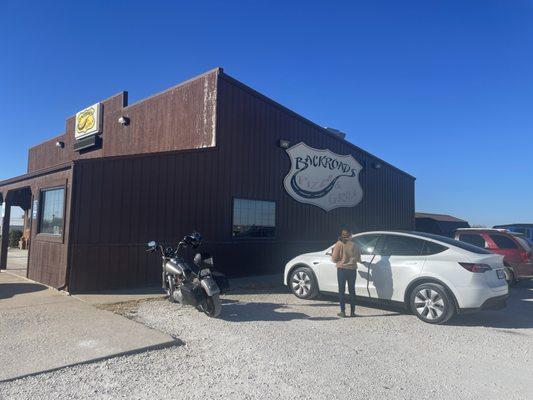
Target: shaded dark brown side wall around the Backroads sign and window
x,y
124,202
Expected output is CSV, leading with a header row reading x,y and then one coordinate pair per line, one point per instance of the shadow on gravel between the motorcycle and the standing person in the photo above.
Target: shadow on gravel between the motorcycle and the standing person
x,y
246,312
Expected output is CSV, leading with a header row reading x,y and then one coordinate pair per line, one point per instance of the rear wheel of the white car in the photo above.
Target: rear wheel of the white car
x,y
431,303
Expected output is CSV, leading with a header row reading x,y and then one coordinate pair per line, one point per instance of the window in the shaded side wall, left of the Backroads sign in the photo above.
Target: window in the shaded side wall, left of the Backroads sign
x,y
254,218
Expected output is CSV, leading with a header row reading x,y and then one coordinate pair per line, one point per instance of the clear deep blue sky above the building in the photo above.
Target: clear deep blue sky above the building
x,y
441,89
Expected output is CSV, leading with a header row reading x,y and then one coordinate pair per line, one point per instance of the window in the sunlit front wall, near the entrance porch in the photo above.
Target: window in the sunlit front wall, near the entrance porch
x,y
51,221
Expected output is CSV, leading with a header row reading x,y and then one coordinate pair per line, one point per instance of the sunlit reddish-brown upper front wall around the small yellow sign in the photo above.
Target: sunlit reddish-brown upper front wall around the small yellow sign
x,y
182,117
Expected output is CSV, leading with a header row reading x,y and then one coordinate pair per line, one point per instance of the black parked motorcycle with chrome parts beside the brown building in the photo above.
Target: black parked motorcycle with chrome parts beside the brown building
x,y
196,284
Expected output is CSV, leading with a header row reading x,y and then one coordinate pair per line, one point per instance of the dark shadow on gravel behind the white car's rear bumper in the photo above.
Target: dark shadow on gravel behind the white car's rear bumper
x,y
517,315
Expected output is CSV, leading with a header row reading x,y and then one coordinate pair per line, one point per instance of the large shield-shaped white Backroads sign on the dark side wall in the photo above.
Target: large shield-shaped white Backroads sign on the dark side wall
x,y
323,178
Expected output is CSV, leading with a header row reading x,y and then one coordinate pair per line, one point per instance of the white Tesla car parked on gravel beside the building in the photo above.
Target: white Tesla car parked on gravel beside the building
x,y
434,276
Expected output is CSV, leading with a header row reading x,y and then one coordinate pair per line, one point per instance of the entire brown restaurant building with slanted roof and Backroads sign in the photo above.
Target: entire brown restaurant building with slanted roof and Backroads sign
x,y
210,154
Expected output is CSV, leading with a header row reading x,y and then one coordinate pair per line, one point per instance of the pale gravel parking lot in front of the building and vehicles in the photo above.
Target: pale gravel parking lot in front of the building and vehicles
x,y
274,346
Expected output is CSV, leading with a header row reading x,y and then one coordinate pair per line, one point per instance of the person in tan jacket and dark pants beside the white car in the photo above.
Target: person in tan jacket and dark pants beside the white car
x,y
346,255
